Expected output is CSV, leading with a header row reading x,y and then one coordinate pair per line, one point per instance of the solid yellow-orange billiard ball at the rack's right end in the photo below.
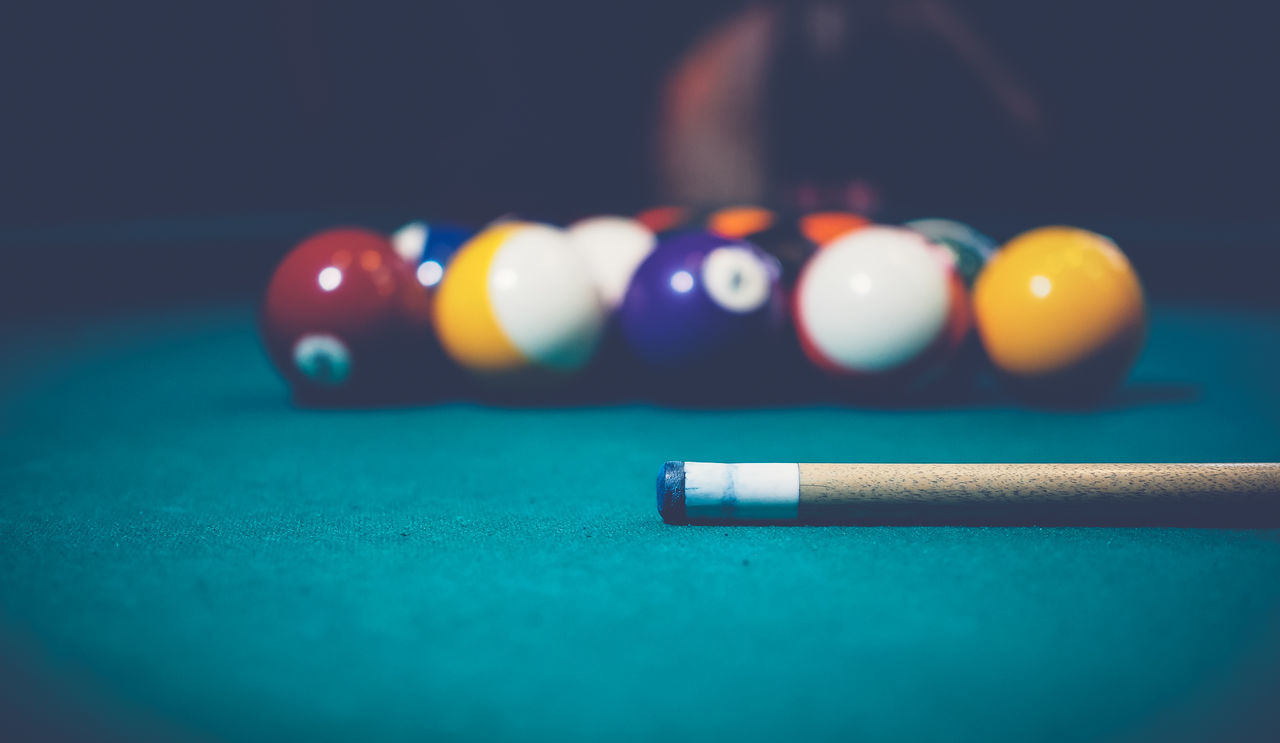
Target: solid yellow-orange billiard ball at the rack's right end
x,y
1060,313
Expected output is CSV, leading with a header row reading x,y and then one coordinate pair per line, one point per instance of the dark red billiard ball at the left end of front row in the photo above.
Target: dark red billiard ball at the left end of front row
x,y
344,314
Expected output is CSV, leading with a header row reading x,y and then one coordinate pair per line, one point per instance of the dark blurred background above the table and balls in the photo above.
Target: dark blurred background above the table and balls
x,y
171,152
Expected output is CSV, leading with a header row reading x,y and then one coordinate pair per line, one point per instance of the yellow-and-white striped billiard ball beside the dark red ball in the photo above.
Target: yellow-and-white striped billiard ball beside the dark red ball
x,y
519,300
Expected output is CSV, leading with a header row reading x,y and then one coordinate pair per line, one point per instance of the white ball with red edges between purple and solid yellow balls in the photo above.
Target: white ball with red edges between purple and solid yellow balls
x,y
883,306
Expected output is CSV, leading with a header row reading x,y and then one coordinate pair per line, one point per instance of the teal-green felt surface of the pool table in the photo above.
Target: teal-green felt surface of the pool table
x,y
188,546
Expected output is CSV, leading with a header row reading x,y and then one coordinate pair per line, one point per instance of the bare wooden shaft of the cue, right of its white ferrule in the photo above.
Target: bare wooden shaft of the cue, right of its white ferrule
x,y
1155,494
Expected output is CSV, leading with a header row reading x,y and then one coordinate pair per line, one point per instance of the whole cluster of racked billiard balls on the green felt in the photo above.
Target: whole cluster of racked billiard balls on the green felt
x,y
715,295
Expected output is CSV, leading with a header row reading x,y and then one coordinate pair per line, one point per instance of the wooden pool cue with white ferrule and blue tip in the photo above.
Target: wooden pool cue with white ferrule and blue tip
x,y
1094,495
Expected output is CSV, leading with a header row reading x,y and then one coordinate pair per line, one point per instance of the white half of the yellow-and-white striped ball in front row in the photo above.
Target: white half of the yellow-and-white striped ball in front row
x,y
545,299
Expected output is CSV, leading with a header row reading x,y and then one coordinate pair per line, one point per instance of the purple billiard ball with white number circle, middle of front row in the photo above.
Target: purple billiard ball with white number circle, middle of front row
x,y
701,298
